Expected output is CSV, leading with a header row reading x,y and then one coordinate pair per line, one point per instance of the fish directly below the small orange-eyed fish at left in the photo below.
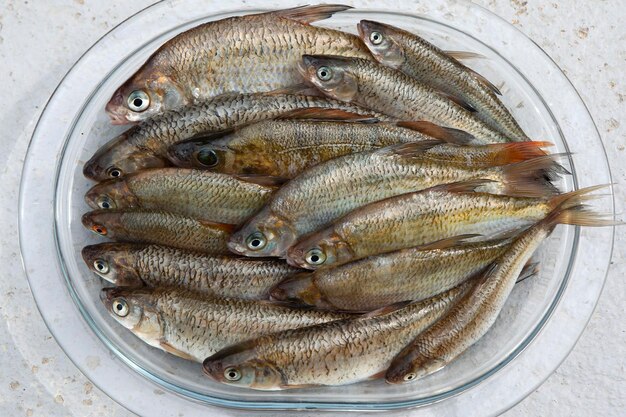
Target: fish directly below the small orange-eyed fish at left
x,y
139,265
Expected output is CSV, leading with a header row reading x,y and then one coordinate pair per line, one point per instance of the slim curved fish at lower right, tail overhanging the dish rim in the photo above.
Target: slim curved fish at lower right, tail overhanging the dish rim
x,y
476,312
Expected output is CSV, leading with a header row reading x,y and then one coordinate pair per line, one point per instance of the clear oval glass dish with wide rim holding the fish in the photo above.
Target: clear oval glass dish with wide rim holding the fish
x,y
535,331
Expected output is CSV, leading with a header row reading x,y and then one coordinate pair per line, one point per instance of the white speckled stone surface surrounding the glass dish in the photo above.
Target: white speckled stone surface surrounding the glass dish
x,y
39,41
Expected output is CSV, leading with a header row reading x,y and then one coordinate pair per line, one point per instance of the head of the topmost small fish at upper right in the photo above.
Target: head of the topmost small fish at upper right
x,y
382,42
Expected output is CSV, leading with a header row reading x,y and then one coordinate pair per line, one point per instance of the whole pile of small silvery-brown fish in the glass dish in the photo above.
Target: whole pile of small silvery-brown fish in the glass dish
x,y
297,206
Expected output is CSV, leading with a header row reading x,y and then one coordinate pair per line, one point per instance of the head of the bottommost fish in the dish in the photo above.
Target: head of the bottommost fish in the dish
x,y
238,365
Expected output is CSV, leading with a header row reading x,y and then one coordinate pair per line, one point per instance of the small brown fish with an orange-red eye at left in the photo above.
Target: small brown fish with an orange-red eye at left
x,y
161,228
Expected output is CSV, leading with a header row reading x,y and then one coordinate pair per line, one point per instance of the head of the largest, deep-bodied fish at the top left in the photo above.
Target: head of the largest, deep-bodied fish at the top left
x,y
149,92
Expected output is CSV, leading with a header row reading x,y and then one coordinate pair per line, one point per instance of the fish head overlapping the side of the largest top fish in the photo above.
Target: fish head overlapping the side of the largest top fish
x,y
332,75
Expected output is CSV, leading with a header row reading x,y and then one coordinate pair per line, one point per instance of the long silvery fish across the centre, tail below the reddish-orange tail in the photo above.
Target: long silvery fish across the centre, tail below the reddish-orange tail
x,y
327,191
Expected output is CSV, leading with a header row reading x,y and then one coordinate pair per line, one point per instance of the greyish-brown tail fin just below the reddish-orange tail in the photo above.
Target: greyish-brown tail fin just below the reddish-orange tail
x,y
527,178
